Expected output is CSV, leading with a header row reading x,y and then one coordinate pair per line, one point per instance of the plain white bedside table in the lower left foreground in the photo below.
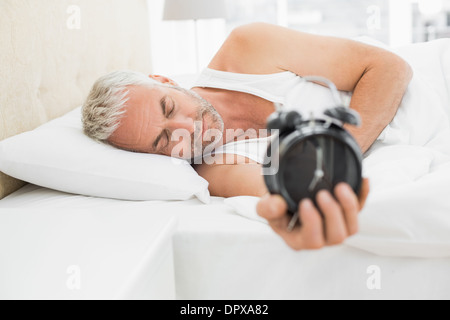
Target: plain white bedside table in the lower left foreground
x,y
89,253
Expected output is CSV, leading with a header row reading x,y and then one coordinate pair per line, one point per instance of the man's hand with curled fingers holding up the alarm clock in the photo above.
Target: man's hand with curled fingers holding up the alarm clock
x,y
340,217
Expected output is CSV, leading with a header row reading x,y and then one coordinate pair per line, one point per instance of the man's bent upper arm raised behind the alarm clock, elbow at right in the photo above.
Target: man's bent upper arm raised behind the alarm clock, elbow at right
x,y
377,77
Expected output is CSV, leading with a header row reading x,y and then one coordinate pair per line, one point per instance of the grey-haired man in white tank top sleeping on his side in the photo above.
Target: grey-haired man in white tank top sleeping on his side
x,y
256,65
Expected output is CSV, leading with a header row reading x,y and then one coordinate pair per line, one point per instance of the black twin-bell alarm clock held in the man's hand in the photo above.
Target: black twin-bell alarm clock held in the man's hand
x,y
312,154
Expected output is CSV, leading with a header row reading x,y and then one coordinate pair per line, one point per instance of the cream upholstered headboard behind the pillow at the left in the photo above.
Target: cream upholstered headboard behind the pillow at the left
x,y
52,51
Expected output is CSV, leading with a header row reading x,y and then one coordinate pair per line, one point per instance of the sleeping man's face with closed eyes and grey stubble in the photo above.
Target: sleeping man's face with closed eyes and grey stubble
x,y
154,116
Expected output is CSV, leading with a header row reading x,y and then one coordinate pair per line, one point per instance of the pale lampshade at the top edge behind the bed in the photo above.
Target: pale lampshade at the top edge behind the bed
x,y
194,9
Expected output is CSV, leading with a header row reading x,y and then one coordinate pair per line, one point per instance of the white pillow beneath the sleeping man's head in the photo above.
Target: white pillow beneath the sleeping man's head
x,y
59,156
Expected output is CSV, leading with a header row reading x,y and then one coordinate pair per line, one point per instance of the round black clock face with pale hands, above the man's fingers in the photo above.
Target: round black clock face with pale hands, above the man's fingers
x,y
315,163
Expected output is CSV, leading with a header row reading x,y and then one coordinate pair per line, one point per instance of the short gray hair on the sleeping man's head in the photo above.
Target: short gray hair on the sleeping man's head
x,y
104,106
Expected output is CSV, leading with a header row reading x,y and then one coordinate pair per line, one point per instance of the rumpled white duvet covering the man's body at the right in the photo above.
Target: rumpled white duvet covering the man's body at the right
x,y
408,211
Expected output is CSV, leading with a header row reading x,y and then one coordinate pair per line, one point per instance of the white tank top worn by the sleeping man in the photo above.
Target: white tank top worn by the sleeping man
x,y
284,88
